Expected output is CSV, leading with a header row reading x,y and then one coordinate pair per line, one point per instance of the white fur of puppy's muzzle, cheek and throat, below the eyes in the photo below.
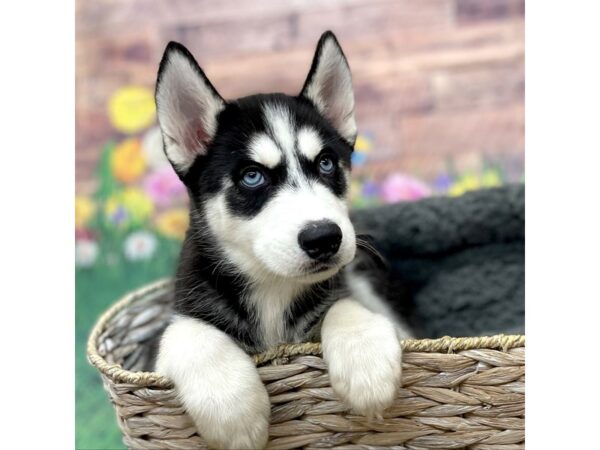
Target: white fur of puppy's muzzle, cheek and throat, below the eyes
x,y
265,248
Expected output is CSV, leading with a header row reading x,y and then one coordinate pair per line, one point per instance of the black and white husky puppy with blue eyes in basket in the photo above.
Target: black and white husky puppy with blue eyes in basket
x,y
270,253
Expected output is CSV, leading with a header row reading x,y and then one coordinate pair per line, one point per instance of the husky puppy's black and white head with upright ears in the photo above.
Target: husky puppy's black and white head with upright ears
x,y
268,175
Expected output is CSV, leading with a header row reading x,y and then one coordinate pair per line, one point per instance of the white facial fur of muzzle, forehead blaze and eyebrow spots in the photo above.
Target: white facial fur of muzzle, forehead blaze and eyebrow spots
x,y
265,246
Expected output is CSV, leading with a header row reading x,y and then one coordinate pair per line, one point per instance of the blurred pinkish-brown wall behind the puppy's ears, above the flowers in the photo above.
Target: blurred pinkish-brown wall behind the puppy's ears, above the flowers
x,y
433,78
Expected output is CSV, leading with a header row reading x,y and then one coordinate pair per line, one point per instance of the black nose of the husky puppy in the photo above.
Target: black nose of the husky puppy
x,y
321,239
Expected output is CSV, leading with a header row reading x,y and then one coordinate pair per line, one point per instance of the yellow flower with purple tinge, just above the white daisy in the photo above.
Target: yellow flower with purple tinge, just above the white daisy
x,y
128,206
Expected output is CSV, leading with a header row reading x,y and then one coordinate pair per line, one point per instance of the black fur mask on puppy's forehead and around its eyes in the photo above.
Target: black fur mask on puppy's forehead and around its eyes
x,y
227,157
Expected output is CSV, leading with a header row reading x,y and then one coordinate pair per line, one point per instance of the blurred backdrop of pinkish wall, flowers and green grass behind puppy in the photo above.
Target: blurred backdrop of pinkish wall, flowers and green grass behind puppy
x,y
439,88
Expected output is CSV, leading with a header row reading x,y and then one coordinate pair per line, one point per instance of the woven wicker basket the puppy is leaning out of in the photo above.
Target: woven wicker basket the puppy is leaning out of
x,y
457,393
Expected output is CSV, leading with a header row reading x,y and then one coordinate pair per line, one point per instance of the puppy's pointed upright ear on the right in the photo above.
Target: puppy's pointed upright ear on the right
x,y
329,86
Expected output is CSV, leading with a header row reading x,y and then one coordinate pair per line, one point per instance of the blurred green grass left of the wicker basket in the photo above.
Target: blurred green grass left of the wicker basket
x,y
96,289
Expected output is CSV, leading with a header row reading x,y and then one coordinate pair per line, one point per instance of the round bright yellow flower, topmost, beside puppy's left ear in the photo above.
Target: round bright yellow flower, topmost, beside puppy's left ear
x,y
131,109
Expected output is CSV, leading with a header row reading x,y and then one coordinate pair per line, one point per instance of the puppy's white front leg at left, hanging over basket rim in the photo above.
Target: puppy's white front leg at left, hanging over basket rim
x,y
217,383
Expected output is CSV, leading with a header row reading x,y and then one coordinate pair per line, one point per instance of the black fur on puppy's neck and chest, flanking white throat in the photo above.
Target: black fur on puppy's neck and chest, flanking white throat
x,y
205,289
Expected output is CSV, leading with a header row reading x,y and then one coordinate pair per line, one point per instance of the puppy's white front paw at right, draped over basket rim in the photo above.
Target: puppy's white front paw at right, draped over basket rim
x,y
363,354
